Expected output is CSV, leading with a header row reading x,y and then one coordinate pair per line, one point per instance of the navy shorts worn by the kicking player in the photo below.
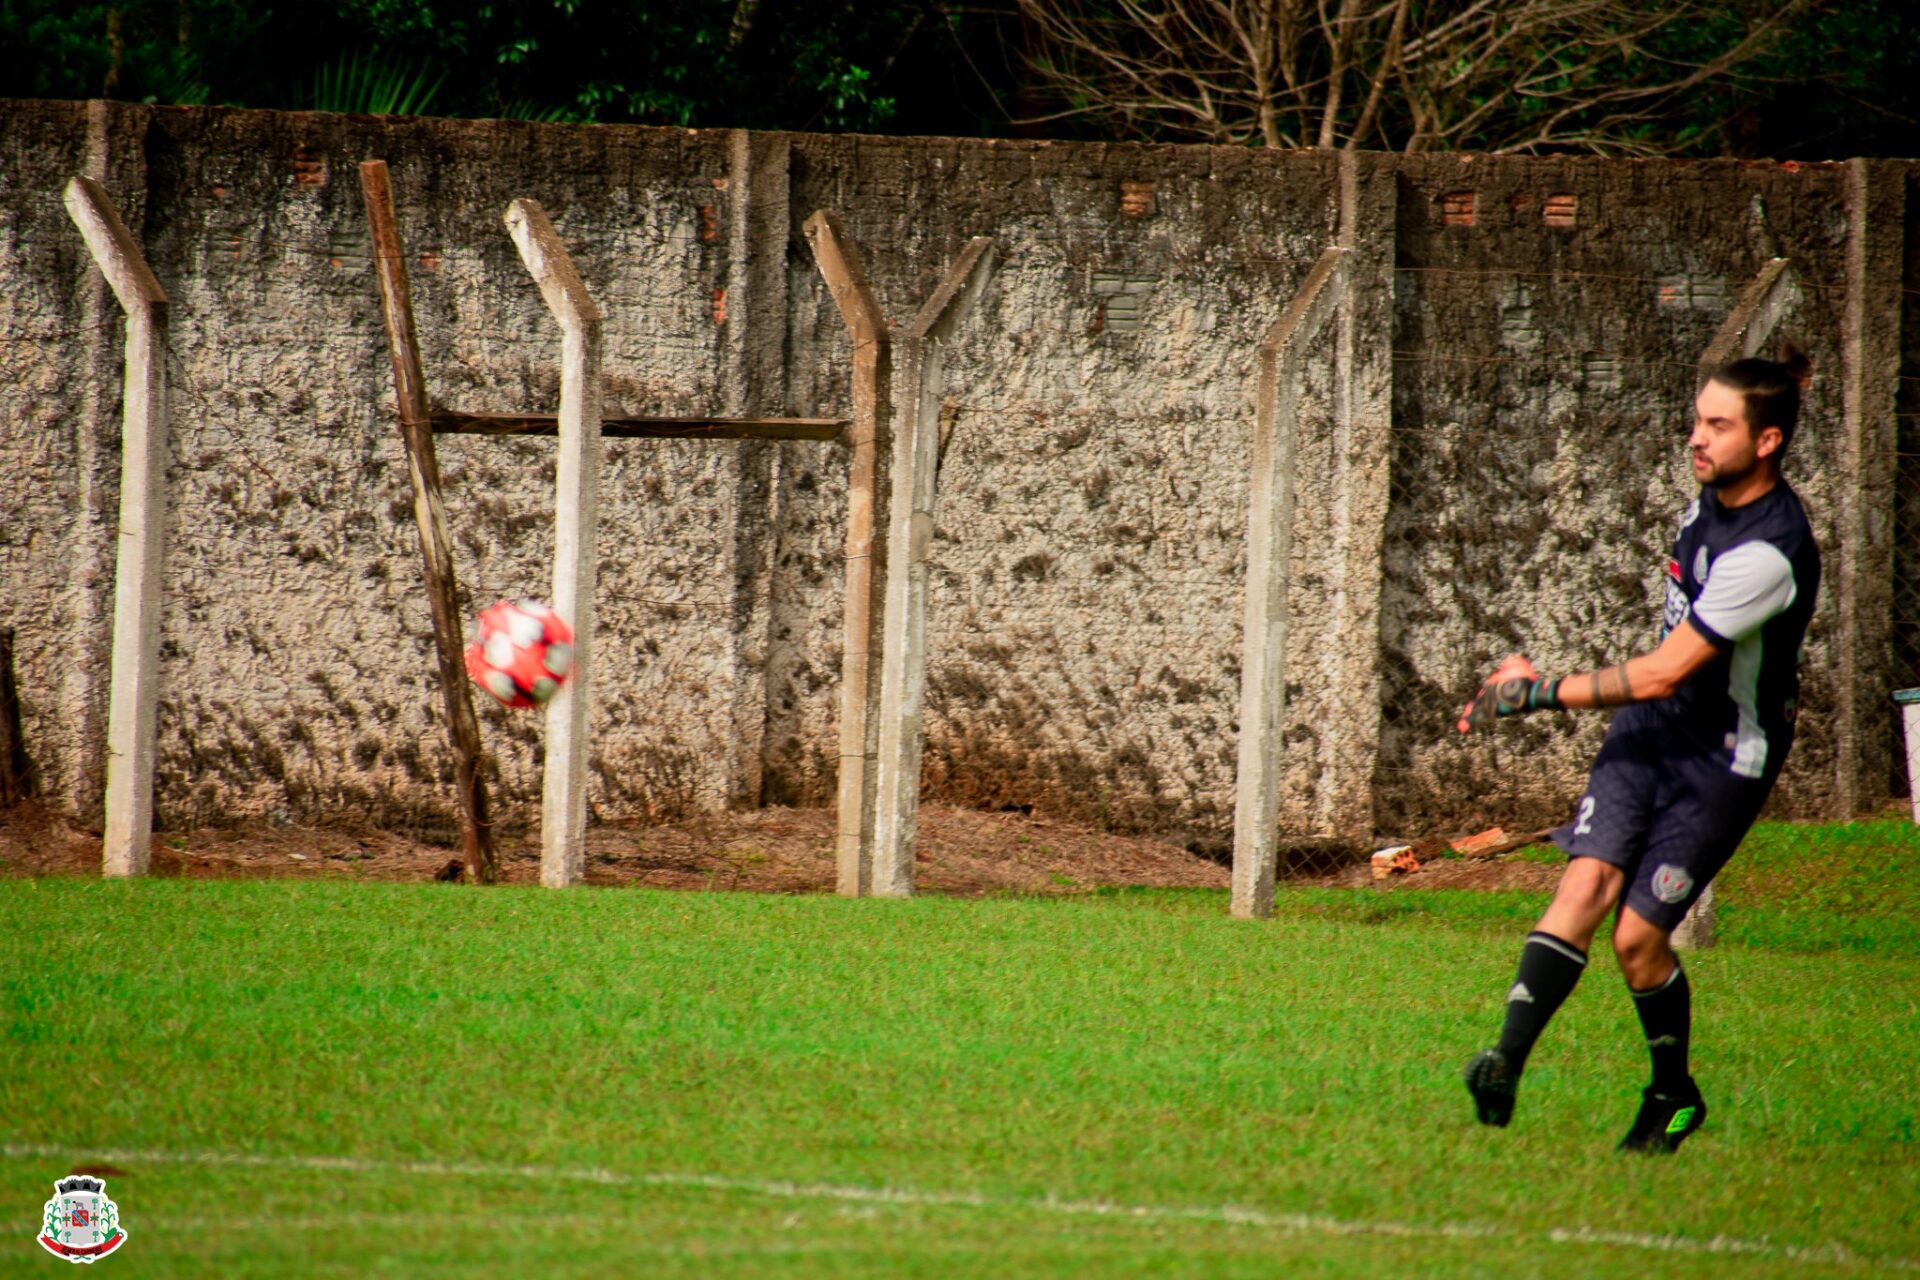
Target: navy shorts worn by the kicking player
x,y
1662,811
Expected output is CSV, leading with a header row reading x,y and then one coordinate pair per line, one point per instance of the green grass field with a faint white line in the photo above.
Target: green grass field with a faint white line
x,y
329,1079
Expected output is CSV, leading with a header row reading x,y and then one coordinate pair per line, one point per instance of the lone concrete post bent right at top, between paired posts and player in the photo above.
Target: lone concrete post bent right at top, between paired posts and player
x,y
1268,544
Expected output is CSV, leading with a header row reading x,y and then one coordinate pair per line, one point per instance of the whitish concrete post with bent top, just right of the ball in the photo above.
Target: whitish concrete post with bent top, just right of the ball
x,y
564,805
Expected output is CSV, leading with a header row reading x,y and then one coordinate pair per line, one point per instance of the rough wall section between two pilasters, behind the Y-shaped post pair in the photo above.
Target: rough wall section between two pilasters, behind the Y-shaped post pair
x,y
1086,621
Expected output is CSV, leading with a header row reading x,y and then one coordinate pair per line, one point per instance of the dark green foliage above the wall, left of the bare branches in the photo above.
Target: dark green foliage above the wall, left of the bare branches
x,y
794,64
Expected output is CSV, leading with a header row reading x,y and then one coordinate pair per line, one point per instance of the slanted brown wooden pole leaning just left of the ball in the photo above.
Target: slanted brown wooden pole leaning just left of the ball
x,y
431,517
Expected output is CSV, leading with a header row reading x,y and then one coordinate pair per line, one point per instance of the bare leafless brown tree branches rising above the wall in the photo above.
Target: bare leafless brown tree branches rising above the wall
x,y
1499,76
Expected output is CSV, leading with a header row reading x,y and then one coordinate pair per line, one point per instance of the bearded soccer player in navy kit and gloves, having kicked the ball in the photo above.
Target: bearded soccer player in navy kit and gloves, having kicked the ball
x,y
1704,726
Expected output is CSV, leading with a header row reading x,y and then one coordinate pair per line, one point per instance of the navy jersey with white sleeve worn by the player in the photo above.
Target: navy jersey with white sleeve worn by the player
x,y
1748,579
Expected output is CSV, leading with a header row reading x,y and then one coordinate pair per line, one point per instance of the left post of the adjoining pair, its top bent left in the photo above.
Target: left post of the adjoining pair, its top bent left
x,y
867,565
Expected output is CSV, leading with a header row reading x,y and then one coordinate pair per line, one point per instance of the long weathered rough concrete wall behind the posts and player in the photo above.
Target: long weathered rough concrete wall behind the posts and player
x,y
1090,557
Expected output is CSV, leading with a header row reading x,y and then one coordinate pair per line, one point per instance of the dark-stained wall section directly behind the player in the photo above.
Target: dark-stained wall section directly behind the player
x,y
1545,379
